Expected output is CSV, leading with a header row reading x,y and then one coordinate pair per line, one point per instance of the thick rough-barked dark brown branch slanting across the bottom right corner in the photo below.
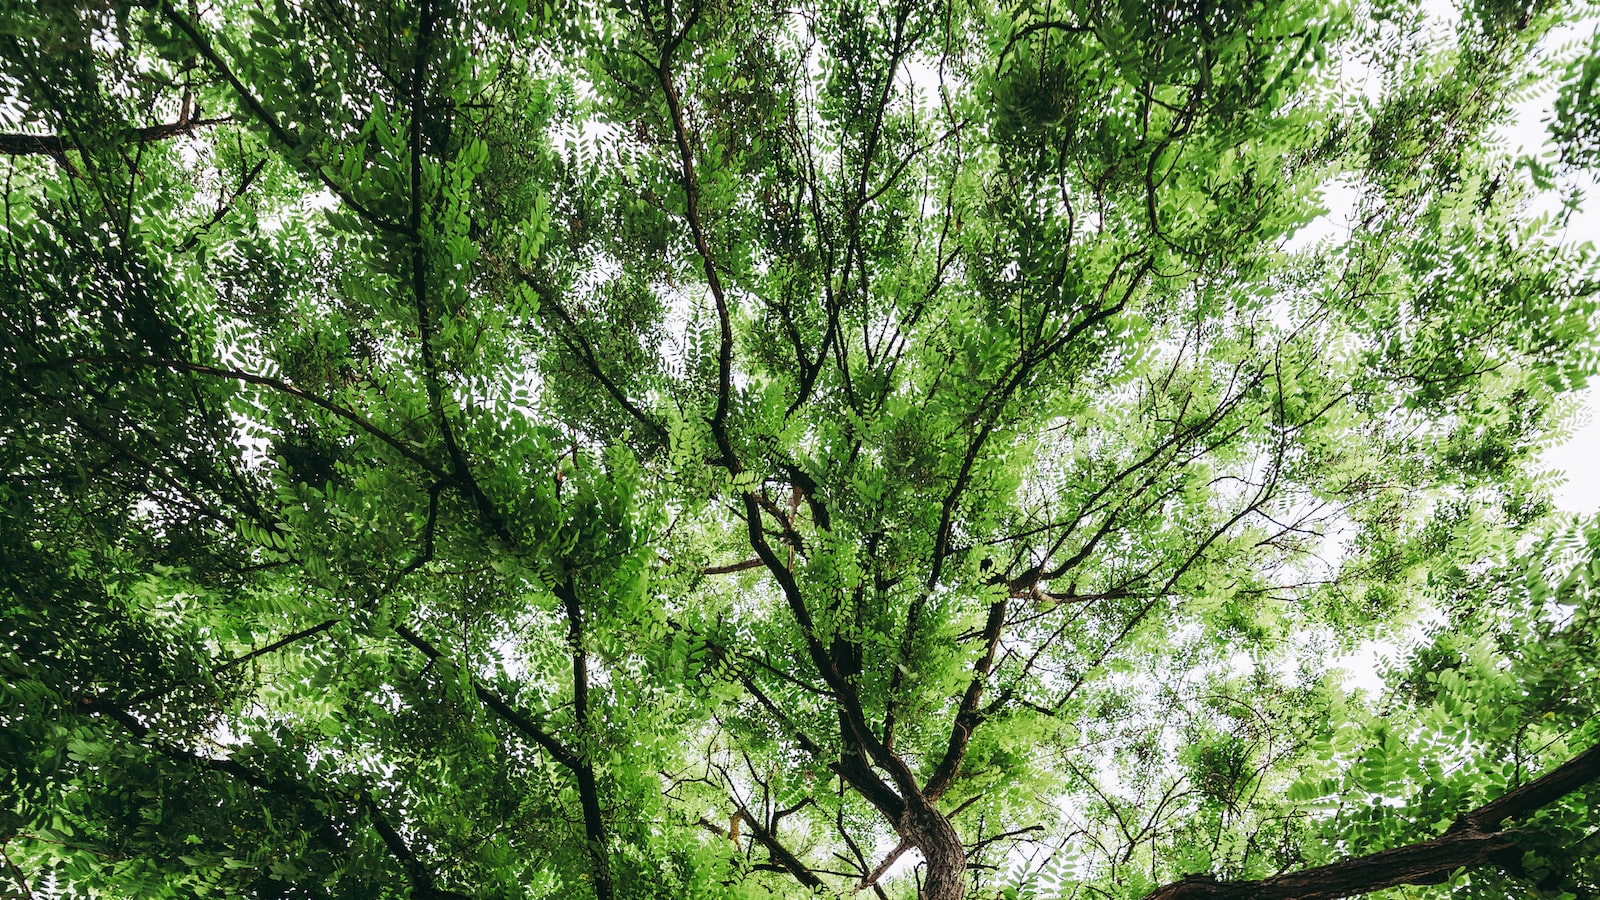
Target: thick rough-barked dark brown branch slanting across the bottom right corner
x,y
1474,842
